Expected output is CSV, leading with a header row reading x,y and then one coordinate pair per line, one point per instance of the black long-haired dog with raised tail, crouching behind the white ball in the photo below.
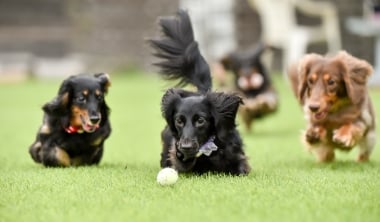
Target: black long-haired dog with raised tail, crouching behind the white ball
x,y
201,134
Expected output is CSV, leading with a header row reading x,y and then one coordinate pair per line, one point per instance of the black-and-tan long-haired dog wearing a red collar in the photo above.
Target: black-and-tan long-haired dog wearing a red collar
x,y
75,124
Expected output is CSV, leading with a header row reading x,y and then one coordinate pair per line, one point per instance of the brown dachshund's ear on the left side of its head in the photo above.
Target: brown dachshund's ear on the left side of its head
x,y
303,70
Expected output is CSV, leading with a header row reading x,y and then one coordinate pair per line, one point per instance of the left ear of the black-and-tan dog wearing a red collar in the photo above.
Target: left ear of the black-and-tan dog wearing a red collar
x,y
59,105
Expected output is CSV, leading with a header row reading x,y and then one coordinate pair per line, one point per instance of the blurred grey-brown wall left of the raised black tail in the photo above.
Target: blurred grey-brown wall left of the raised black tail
x,y
109,33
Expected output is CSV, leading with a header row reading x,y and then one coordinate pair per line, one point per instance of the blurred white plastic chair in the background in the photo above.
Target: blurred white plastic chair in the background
x,y
280,28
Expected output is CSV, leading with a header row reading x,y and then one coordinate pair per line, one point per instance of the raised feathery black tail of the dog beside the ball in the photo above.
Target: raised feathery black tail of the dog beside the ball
x,y
181,58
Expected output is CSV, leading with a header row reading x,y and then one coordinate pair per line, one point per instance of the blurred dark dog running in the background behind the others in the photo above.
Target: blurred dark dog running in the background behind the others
x,y
253,83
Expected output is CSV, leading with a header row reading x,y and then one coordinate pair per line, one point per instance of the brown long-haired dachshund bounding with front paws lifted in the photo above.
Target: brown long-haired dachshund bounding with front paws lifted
x,y
332,91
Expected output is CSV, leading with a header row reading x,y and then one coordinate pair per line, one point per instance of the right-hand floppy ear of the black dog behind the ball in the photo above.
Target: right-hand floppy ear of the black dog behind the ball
x,y
223,109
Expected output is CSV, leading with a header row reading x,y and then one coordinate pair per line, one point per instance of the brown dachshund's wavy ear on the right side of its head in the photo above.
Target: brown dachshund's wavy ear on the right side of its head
x,y
356,76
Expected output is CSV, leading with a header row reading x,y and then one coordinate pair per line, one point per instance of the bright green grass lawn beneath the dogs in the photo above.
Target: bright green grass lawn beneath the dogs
x,y
285,185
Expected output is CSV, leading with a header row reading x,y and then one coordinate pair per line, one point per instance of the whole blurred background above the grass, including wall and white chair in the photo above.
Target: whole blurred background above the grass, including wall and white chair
x,y
55,38
